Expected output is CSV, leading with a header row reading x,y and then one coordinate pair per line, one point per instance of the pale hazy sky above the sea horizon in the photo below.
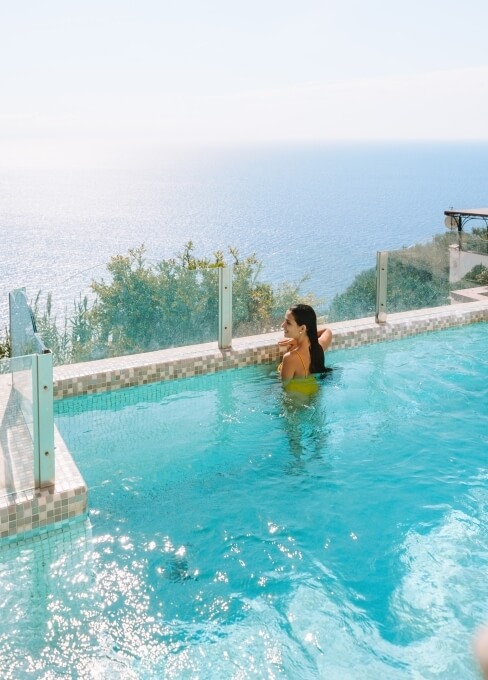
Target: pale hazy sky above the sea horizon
x,y
97,76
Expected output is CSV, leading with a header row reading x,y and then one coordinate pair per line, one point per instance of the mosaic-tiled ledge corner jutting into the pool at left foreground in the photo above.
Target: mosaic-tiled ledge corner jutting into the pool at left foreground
x,y
28,513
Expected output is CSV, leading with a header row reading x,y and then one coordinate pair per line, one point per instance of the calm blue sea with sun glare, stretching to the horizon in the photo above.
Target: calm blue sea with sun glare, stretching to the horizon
x,y
314,212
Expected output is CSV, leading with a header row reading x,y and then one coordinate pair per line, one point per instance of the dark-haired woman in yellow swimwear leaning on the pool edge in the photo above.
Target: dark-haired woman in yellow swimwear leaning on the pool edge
x,y
305,347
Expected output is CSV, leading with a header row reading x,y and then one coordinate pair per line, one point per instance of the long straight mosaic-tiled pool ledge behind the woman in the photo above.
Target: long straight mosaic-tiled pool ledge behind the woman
x,y
183,362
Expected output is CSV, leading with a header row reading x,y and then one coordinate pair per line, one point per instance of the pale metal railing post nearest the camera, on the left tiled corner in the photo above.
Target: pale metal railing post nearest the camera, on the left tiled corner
x,y
43,417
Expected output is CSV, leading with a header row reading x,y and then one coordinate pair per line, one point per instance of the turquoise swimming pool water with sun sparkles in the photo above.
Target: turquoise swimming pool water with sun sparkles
x,y
238,532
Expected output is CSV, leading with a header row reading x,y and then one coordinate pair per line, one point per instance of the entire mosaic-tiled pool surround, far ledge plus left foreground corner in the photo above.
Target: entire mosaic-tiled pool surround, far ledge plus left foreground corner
x,y
24,510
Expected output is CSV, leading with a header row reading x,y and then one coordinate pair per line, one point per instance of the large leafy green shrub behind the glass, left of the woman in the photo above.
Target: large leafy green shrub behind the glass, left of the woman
x,y
143,306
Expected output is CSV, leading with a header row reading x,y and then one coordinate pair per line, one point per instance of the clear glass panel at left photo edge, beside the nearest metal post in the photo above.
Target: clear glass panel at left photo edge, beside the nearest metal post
x,y
16,425
